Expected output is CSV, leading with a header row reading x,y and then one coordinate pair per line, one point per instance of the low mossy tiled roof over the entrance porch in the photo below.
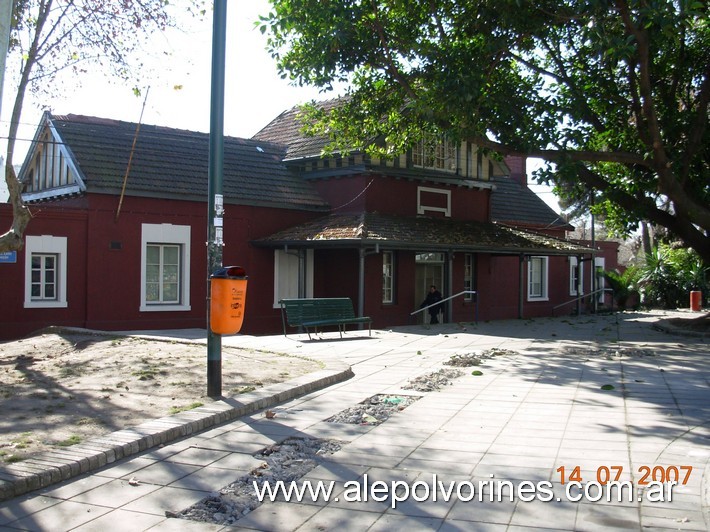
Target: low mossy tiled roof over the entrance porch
x,y
423,233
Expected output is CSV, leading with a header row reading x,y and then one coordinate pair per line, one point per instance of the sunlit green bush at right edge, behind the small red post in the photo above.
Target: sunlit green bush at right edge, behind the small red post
x,y
670,274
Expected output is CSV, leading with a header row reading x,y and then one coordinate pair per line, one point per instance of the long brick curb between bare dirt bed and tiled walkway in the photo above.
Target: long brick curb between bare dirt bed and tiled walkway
x,y
58,465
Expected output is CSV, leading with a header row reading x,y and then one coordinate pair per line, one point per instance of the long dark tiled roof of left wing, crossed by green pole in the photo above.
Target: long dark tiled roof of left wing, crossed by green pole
x,y
174,163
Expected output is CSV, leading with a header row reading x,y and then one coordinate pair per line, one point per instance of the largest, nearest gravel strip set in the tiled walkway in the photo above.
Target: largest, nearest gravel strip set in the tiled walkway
x,y
286,461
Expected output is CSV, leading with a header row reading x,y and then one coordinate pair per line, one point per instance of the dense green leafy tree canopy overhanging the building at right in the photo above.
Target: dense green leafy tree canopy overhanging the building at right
x,y
613,94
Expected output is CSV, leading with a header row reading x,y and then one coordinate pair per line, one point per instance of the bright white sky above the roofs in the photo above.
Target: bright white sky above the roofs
x,y
254,92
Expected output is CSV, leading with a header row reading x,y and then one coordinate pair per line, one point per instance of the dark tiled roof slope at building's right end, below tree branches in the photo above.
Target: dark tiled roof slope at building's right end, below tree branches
x,y
515,204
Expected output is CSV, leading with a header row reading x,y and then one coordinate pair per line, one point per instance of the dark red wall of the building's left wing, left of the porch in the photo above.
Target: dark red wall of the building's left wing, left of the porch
x,y
104,284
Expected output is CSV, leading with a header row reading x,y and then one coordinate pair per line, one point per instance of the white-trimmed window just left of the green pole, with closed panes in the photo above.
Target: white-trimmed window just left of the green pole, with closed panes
x,y
165,267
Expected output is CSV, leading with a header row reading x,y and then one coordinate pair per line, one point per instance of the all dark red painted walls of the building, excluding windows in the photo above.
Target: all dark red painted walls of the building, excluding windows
x,y
104,283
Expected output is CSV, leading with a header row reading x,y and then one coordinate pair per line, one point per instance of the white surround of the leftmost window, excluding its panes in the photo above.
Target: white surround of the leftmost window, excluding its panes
x,y
47,245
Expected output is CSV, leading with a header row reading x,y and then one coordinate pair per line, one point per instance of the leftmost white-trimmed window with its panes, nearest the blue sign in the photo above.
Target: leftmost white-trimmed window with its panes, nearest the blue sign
x,y
45,272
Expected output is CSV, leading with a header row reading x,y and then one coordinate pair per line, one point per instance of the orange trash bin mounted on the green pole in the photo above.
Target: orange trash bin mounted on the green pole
x,y
228,287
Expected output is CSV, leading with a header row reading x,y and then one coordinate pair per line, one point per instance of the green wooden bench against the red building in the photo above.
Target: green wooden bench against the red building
x,y
320,312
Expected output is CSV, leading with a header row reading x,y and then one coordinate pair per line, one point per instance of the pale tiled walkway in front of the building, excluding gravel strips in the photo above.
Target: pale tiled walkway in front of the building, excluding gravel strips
x,y
526,417
